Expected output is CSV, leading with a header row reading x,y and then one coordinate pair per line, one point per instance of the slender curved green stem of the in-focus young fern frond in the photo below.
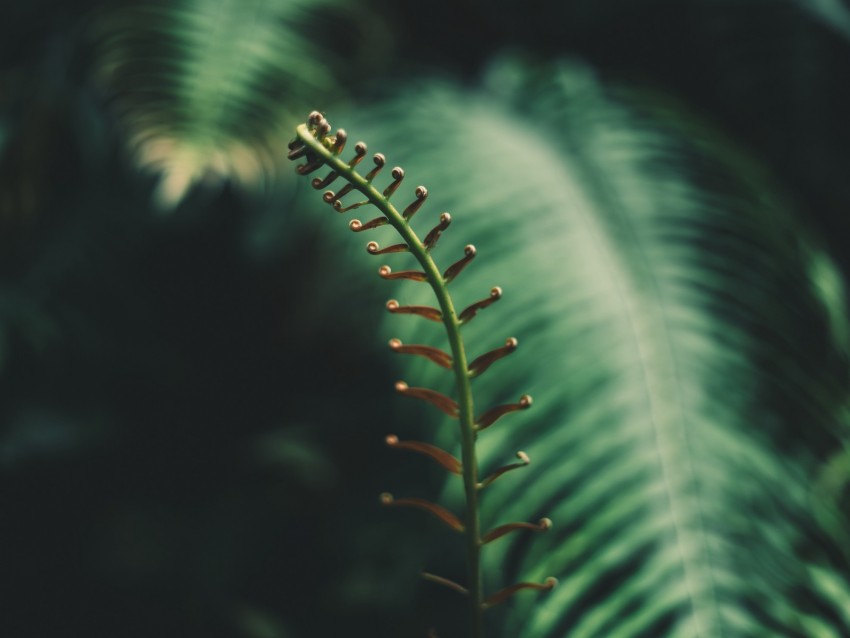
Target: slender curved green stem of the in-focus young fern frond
x,y
459,364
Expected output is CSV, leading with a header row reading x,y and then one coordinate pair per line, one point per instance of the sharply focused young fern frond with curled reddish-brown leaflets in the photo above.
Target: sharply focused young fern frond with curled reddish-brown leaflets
x,y
319,148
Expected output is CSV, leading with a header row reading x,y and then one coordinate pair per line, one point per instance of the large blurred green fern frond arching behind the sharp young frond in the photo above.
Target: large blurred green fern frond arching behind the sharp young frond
x,y
685,342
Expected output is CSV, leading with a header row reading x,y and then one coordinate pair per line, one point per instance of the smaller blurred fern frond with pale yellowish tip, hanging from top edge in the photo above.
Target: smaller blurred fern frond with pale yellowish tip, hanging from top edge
x,y
210,89
